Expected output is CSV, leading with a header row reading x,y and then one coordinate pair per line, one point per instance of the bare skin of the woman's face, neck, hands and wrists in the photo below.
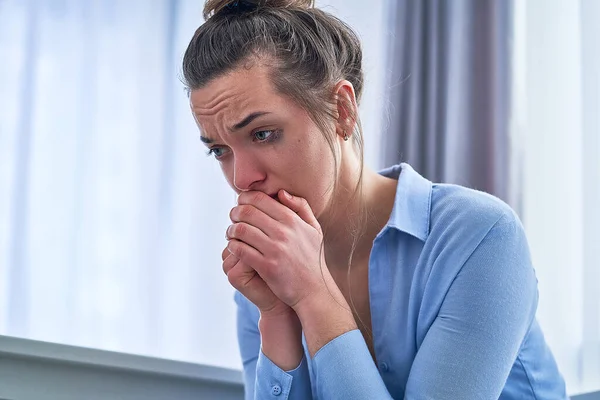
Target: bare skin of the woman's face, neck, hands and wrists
x,y
283,170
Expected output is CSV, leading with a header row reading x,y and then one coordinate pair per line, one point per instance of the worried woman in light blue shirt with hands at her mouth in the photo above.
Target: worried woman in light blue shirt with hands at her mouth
x,y
352,284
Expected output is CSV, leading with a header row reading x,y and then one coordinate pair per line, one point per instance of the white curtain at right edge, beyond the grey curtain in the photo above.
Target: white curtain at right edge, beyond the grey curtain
x,y
556,131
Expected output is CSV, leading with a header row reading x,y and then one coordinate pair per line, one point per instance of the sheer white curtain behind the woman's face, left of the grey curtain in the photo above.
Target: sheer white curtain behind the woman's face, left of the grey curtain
x,y
112,219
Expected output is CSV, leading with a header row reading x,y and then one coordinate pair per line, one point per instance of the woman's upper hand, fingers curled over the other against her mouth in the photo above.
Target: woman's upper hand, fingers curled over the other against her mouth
x,y
282,242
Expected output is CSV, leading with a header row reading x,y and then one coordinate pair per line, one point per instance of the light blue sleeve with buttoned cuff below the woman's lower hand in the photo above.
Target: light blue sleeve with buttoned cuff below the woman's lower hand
x,y
262,378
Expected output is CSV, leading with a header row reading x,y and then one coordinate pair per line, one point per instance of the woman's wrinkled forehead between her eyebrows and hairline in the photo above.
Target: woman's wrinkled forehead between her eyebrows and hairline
x,y
234,93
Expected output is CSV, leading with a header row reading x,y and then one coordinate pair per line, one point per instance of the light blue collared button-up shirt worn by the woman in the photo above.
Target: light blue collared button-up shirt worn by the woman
x,y
453,297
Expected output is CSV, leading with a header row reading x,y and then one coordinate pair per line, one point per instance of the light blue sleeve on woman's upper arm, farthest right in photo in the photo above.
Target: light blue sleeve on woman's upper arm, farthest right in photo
x,y
472,344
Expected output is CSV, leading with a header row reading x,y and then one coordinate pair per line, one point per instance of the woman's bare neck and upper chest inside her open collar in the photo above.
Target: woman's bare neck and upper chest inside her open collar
x,y
356,217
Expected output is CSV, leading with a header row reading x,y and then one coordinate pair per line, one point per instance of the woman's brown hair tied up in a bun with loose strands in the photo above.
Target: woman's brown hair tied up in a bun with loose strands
x,y
308,50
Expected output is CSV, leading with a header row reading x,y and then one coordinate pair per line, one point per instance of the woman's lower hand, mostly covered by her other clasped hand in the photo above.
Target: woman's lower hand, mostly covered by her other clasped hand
x,y
250,284
